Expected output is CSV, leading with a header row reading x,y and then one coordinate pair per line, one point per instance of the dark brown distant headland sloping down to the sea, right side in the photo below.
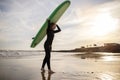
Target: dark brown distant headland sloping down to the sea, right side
x,y
108,47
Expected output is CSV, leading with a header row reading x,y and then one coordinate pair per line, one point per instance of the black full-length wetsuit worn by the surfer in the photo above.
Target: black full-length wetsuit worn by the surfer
x,y
48,44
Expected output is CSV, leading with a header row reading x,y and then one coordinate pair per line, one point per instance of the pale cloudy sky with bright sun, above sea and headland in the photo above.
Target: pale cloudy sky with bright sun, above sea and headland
x,y
85,22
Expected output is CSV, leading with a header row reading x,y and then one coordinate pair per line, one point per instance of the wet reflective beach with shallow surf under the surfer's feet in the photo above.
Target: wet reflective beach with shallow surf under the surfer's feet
x,y
67,66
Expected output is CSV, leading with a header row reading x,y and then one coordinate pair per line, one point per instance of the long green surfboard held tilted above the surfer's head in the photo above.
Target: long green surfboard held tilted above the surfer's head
x,y
54,17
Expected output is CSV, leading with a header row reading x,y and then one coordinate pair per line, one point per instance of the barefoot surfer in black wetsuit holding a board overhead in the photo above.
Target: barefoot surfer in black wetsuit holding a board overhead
x,y
48,44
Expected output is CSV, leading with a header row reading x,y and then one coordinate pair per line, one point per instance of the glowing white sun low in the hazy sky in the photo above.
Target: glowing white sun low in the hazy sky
x,y
103,24
